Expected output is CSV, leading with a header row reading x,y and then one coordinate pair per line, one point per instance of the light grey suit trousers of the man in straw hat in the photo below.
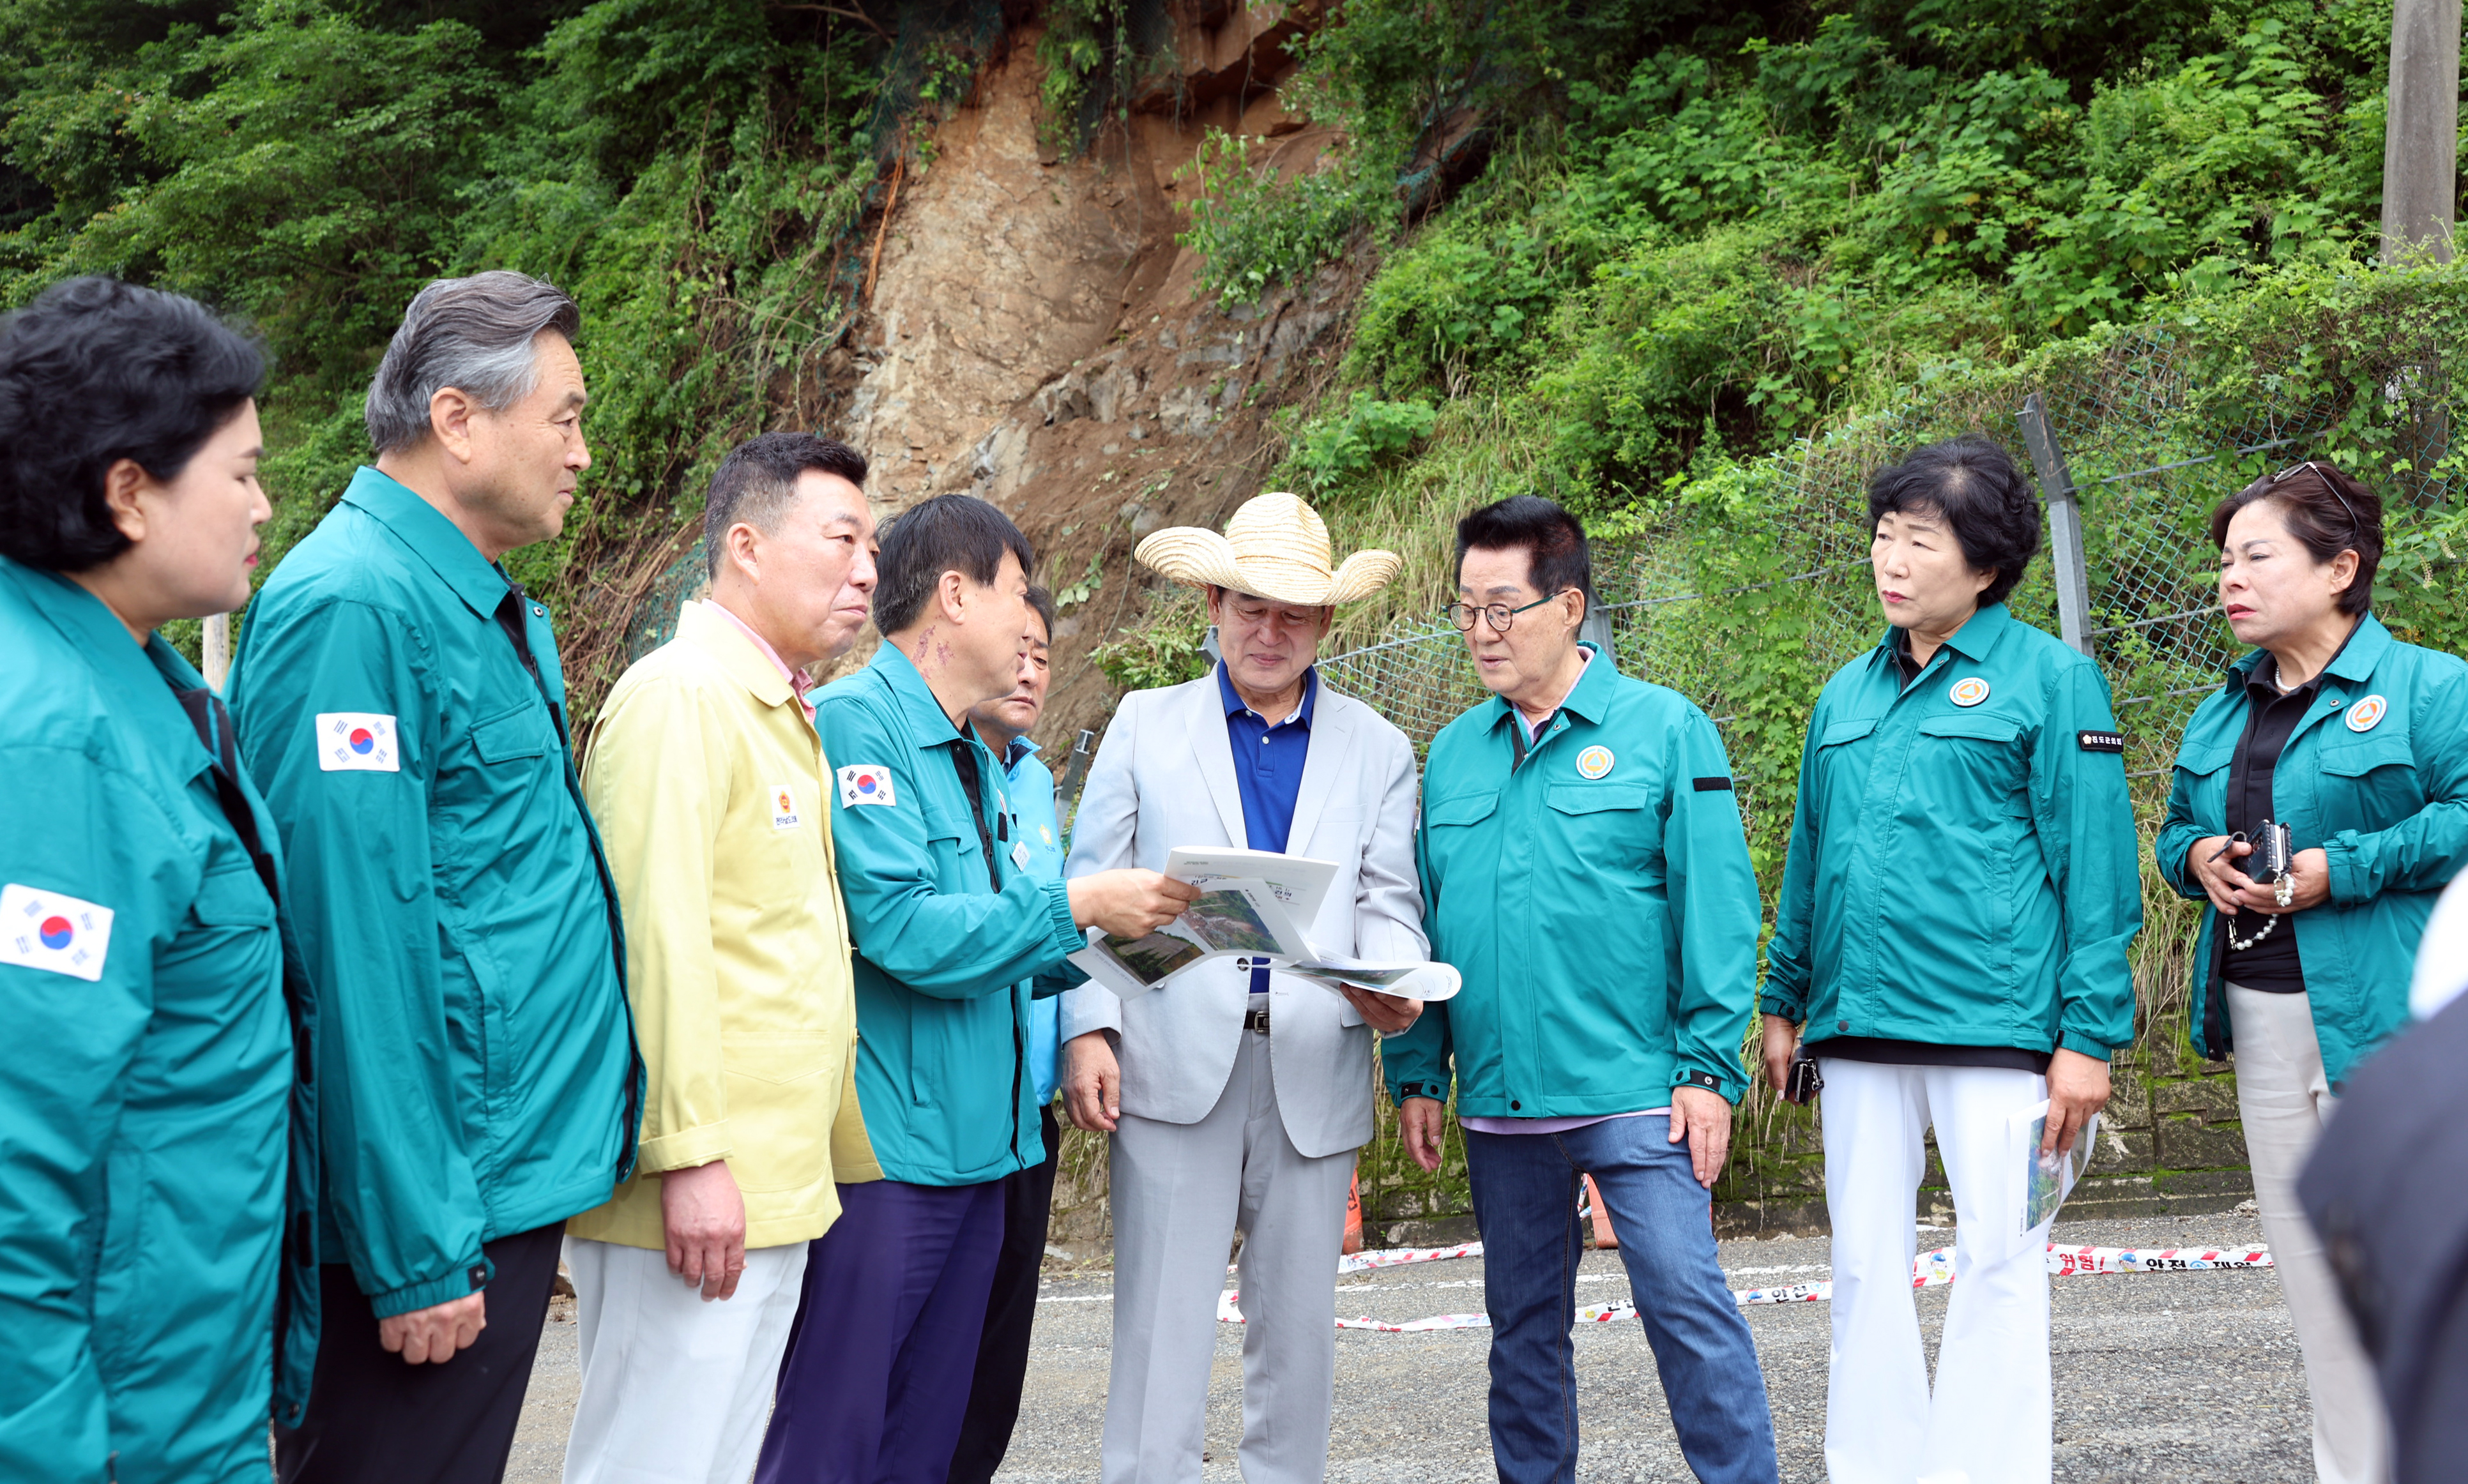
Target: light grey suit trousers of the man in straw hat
x,y
1178,1196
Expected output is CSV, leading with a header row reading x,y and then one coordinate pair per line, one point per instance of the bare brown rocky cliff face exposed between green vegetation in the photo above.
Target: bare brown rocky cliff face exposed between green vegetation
x,y
1035,340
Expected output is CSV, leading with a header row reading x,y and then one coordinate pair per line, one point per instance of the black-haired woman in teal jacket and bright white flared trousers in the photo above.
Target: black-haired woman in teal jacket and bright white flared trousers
x,y
1951,947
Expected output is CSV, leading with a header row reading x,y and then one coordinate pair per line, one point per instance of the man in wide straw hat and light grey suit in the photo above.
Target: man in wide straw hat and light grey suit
x,y
1240,1095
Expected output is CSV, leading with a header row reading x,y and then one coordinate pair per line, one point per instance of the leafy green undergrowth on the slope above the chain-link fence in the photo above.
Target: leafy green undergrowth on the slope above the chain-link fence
x,y
1739,228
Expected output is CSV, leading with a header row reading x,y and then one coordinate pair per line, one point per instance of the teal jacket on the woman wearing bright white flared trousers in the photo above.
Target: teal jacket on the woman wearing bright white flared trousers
x,y
1963,875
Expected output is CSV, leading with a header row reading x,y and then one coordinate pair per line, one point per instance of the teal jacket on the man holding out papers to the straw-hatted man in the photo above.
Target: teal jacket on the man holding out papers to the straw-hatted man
x,y
949,925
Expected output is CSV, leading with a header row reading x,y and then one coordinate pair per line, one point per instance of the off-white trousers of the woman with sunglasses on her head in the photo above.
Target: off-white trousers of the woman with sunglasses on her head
x,y
2284,1100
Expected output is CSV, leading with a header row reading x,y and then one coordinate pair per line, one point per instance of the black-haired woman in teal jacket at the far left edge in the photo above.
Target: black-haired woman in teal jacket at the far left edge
x,y
159,1293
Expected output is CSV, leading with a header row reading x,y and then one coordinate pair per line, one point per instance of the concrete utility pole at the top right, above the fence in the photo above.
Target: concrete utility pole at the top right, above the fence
x,y
2420,142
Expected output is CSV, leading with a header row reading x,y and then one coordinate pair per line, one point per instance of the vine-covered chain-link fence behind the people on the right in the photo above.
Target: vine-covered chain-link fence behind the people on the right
x,y
2134,456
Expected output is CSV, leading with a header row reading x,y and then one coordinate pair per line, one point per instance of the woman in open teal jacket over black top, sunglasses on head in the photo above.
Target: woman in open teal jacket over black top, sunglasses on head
x,y
2358,747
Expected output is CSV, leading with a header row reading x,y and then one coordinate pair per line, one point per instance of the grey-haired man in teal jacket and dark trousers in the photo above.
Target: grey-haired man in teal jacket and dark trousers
x,y
401,705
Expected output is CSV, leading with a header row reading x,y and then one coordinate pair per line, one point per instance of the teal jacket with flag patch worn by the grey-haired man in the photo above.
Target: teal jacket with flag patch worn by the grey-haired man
x,y
478,1063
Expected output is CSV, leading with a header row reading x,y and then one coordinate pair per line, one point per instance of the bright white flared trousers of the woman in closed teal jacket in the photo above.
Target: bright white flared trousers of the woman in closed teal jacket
x,y
1993,1414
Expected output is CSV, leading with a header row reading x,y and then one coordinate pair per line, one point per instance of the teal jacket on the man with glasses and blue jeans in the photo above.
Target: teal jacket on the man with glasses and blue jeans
x,y
1598,902
